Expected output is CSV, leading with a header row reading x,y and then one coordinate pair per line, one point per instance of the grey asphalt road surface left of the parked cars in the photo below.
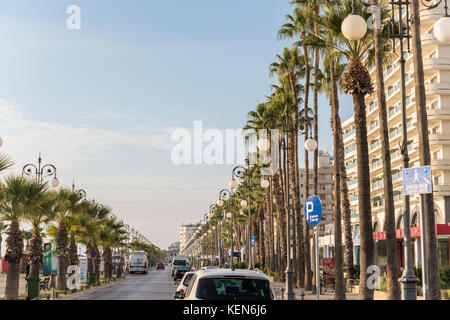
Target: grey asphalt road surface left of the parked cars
x,y
156,285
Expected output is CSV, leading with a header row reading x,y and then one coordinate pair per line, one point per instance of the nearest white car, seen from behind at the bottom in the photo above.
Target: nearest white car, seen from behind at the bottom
x,y
226,284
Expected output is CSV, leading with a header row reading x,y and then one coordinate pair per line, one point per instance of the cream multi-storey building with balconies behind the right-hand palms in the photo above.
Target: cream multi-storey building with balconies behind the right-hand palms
x,y
436,57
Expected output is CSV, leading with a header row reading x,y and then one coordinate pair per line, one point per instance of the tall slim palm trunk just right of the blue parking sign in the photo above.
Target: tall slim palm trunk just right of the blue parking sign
x,y
339,293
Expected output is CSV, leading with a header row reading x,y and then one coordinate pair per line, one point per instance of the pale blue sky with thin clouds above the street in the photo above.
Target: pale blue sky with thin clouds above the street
x,y
101,102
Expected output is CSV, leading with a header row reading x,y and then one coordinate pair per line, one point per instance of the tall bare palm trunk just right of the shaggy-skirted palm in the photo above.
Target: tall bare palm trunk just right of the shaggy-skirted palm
x,y
393,286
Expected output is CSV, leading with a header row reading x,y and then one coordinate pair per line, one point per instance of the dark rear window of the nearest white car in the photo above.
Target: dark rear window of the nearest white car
x,y
233,289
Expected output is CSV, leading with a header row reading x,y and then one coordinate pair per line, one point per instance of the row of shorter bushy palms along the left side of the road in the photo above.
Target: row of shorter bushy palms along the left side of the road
x,y
68,218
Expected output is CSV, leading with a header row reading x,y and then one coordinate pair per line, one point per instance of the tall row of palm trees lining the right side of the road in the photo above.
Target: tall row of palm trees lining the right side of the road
x,y
321,59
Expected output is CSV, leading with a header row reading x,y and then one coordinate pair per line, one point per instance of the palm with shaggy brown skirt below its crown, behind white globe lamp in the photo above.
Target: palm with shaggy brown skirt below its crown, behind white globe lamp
x,y
356,81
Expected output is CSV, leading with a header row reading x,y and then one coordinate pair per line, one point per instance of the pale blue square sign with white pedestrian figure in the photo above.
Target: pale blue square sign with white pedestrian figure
x,y
417,181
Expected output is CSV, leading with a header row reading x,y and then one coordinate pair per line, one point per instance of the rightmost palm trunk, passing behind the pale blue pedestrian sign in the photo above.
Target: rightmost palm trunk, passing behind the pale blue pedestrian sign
x,y
425,157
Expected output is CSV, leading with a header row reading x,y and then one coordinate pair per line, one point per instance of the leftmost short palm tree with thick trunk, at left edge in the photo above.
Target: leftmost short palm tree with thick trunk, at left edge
x,y
12,202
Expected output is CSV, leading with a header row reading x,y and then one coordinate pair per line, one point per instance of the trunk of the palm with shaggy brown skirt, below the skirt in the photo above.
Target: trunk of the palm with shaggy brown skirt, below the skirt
x,y
365,210
